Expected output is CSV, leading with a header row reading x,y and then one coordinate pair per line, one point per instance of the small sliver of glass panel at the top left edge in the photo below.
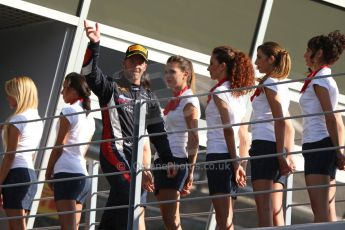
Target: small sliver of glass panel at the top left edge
x,y
67,6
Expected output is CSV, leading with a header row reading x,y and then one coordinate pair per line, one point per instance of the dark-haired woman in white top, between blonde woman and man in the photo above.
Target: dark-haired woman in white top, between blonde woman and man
x,y
67,162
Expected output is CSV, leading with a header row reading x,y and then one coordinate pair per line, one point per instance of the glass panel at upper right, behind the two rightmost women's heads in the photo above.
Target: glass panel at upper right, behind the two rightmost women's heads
x,y
293,23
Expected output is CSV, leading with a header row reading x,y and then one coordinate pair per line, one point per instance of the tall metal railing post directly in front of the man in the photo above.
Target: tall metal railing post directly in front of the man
x,y
137,157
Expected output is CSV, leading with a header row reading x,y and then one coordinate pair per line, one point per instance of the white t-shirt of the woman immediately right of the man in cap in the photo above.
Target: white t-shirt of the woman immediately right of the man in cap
x,y
175,121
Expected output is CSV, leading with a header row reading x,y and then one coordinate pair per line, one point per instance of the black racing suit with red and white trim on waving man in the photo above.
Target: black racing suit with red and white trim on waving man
x,y
115,156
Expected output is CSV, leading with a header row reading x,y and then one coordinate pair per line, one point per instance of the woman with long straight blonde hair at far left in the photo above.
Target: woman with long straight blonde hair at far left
x,y
18,167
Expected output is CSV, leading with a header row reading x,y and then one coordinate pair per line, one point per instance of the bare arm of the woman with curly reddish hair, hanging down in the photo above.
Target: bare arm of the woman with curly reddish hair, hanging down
x,y
230,139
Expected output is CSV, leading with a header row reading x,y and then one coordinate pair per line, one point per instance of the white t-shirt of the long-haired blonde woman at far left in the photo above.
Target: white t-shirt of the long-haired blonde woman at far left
x,y
29,138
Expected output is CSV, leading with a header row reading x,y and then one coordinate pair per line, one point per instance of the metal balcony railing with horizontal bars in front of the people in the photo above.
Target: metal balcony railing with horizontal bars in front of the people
x,y
135,188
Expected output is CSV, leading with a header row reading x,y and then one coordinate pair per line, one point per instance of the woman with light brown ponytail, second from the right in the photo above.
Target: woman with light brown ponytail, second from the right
x,y
271,101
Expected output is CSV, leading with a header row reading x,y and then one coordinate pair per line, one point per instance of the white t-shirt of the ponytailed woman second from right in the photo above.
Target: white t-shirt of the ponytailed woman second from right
x,y
262,110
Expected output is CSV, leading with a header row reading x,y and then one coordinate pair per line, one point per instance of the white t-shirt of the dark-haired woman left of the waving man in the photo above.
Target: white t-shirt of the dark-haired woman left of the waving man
x,y
82,128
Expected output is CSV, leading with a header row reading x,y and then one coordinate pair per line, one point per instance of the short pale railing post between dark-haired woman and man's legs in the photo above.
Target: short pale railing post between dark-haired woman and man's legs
x,y
92,202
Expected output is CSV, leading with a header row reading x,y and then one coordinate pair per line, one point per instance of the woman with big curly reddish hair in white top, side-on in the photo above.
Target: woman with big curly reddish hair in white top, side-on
x,y
232,69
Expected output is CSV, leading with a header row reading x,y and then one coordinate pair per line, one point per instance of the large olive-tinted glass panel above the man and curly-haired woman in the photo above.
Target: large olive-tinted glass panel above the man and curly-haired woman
x,y
195,24
